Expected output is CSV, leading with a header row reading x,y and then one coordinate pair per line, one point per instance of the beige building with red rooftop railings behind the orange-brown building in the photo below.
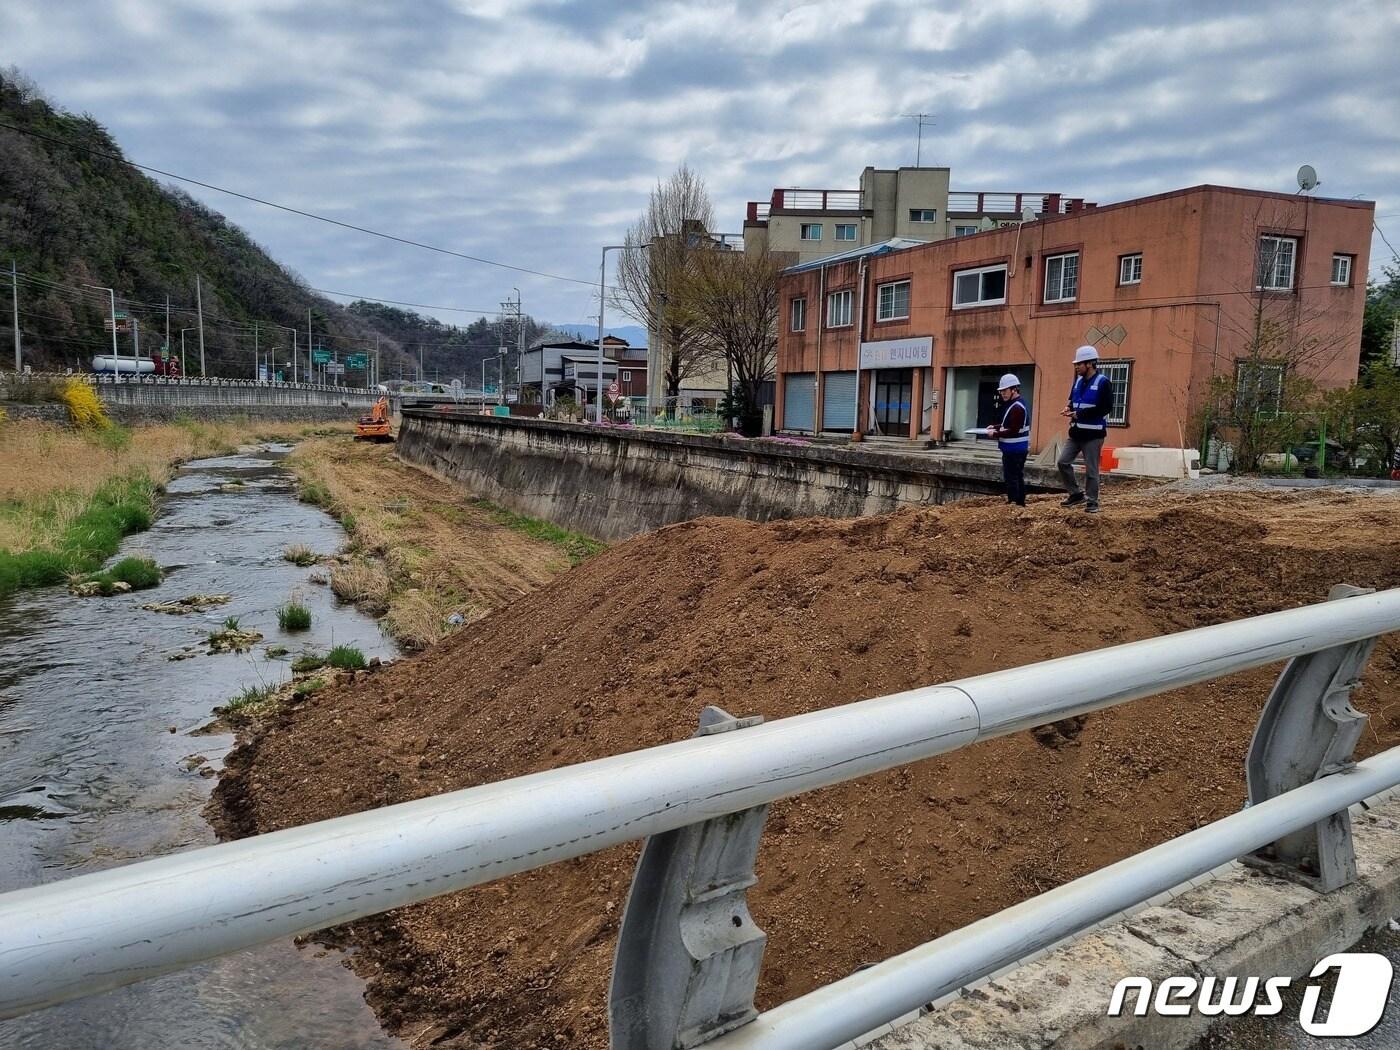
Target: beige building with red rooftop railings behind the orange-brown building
x,y
908,204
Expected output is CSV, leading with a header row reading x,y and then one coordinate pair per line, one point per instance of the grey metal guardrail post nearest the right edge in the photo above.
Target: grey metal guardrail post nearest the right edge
x,y
1308,731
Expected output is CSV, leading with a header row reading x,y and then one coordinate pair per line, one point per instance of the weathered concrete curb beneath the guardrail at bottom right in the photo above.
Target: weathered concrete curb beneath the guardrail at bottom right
x,y
1233,922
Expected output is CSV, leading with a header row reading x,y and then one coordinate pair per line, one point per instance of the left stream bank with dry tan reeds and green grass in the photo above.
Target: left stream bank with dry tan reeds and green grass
x,y
68,496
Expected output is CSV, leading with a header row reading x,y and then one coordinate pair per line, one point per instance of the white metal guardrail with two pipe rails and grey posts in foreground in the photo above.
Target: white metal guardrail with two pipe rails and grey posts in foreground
x,y
689,954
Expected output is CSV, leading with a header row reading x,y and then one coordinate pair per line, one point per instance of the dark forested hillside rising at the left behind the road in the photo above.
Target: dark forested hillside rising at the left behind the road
x,y
78,222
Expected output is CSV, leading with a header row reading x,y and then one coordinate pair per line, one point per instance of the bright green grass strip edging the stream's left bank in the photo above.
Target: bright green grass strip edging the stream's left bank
x,y
118,509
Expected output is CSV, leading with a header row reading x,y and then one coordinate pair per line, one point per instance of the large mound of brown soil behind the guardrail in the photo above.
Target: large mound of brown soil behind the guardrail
x,y
786,618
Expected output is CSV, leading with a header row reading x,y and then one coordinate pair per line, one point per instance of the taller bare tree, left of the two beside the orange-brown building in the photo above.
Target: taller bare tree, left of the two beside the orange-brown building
x,y
652,276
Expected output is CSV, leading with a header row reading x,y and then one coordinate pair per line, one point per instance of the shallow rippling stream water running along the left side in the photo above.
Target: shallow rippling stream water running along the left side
x,y
96,754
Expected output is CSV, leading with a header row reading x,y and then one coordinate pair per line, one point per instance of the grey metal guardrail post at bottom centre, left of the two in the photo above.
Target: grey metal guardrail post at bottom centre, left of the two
x,y
689,954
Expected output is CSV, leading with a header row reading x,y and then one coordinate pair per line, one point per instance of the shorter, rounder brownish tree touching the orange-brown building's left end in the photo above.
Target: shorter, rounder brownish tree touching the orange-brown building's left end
x,y
731,300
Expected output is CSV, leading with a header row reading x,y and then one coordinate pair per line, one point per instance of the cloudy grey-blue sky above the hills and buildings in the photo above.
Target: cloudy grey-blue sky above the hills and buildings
x,y
531,132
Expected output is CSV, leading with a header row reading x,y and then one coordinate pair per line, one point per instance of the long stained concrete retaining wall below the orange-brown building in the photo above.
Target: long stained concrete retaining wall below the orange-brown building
x,y
614,484
